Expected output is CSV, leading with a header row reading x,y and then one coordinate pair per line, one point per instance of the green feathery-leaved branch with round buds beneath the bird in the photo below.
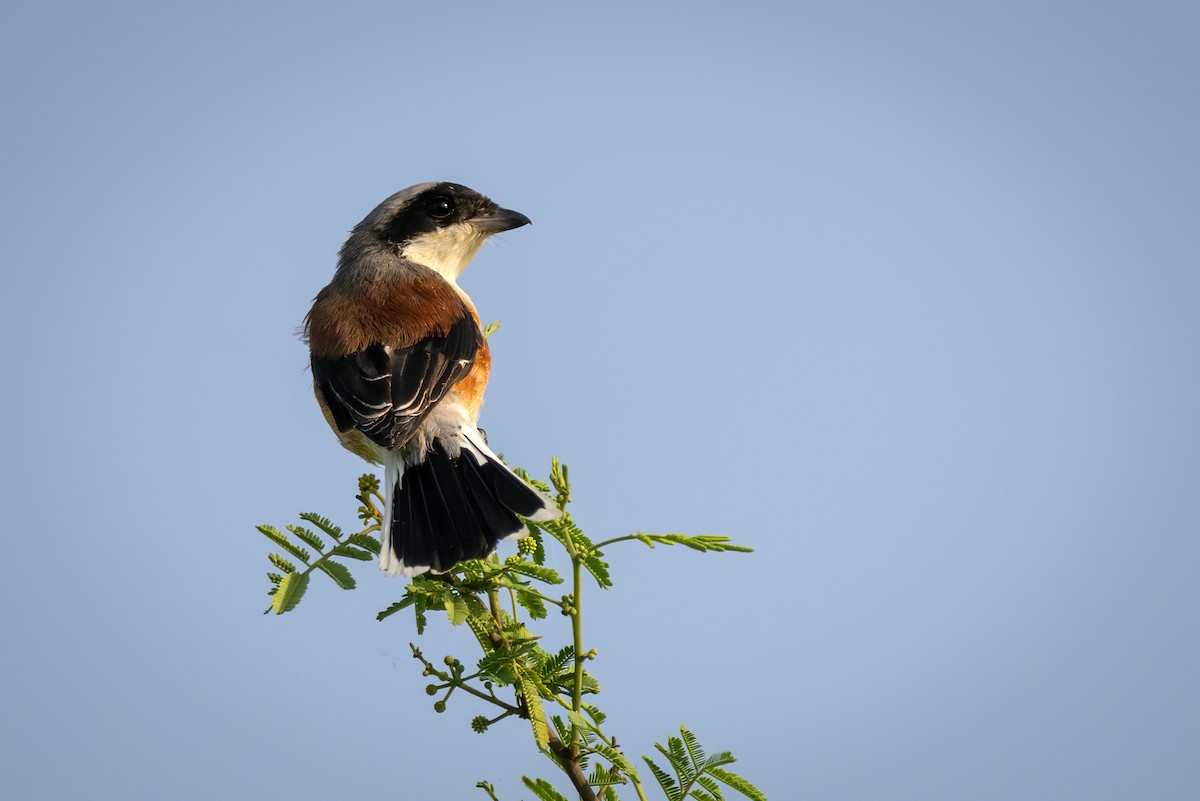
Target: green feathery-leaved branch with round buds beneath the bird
x,y
515,673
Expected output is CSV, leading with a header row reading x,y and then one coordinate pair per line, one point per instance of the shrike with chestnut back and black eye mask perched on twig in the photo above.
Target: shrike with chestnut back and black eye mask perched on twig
x,y
400,365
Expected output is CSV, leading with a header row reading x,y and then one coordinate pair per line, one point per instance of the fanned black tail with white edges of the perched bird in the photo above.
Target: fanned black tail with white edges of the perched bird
x,y
449,509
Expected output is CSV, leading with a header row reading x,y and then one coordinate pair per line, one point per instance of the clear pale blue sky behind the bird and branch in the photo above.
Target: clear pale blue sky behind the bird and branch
x,y
907,297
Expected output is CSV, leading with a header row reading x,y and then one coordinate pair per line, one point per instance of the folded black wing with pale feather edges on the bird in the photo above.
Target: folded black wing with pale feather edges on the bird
x,y
386,393
